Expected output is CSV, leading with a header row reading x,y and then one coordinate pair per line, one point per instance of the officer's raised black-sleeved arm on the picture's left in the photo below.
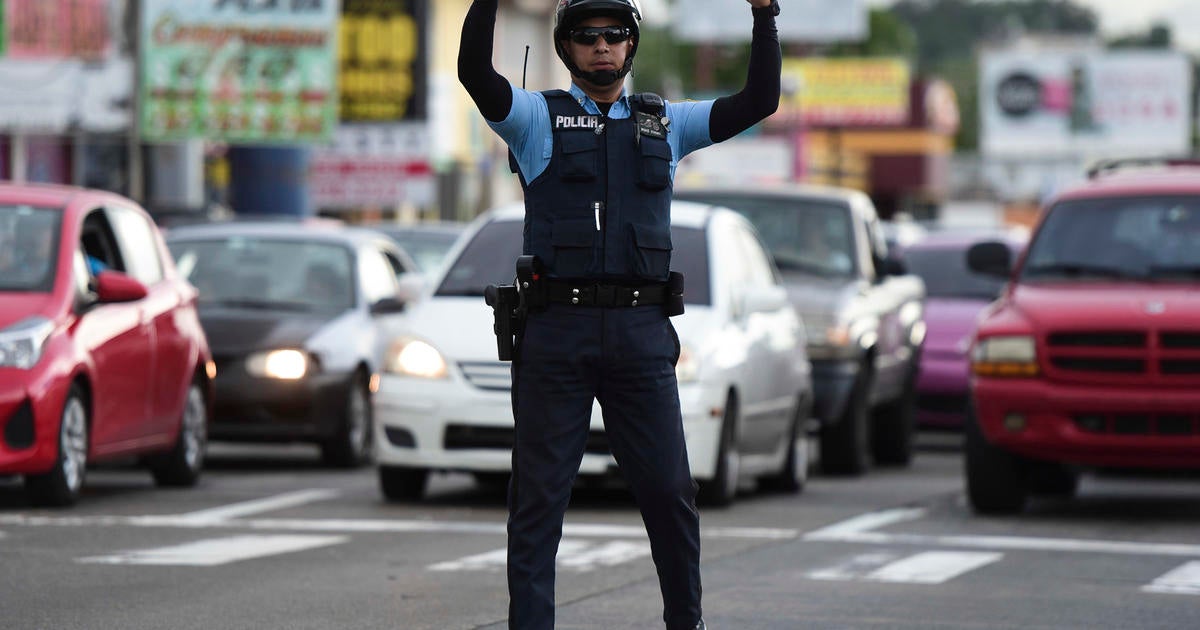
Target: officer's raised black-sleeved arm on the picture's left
x,y
491,92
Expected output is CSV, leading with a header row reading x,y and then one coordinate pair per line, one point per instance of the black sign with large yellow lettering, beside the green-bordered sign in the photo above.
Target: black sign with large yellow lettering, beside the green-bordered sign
x,y
382,61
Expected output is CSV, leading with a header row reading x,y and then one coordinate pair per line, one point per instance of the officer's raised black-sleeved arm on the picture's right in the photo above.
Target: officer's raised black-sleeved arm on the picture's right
x,y
760,97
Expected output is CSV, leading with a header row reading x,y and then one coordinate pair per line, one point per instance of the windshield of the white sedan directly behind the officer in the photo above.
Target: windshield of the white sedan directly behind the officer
x,y
491,256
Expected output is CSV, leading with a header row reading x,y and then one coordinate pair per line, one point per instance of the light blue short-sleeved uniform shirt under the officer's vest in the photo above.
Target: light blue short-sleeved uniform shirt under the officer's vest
x,y
530,135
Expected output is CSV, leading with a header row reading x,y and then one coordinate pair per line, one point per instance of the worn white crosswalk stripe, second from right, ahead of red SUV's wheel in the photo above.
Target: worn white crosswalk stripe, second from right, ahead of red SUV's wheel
x,y
925,568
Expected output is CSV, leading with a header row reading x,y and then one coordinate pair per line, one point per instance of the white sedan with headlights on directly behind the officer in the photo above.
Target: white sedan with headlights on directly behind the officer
x,y
745,377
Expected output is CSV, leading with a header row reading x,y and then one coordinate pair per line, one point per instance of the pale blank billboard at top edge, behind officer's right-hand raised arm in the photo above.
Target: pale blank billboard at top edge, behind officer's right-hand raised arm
x,y
800,21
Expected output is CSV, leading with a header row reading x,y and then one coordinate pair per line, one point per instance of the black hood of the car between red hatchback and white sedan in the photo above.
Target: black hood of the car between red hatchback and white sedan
x,y
238,332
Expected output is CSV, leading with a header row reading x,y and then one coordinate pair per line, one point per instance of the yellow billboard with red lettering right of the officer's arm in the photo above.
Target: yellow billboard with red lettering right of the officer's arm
x,y
845,92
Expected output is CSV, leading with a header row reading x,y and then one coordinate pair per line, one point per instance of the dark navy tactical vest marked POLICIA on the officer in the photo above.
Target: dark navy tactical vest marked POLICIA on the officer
x,y
602,211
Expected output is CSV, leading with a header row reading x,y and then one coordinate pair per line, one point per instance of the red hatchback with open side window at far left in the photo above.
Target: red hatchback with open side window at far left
x,y
101,351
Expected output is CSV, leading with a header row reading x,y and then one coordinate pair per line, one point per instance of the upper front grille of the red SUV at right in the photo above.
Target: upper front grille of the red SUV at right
x,y
1127,357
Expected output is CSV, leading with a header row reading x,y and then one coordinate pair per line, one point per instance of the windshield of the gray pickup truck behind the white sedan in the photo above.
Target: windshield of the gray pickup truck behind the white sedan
x,y
807,236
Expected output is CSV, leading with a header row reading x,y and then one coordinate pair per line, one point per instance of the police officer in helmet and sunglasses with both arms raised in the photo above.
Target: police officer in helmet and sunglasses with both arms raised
x,y
597,167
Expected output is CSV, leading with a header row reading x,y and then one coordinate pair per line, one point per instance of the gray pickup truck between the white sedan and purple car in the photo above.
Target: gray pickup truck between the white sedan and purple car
x,y
862,311
